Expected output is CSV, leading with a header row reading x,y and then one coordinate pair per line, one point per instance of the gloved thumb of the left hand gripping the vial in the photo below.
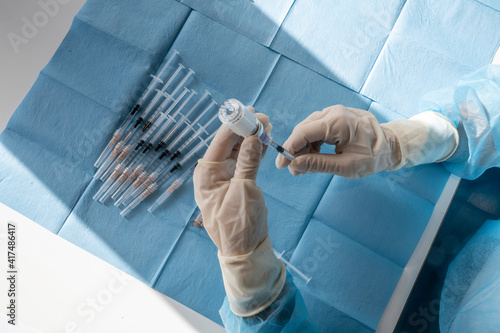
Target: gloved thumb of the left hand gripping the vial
x,y
249,158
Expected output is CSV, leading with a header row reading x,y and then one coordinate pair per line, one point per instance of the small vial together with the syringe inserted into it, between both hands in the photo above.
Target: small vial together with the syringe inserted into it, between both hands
x,y
244,122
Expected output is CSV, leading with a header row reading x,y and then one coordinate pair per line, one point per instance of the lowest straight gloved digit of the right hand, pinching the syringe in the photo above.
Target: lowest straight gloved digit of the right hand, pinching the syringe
x,y
346,165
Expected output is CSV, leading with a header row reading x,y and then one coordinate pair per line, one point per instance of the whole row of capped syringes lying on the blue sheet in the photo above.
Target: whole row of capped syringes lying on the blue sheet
x,y
156,139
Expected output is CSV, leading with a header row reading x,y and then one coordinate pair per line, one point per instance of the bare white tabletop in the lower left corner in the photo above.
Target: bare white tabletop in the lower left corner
x,y
61,288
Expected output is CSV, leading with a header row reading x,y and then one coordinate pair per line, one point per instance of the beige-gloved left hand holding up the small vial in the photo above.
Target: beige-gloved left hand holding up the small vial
x,y
235,217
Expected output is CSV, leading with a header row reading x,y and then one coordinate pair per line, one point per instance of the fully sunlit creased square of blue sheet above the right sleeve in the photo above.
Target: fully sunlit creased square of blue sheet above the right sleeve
x,y
431,37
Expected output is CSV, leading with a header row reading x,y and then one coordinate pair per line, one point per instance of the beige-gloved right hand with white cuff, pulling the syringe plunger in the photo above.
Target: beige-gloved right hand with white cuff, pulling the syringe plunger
x,y
363,146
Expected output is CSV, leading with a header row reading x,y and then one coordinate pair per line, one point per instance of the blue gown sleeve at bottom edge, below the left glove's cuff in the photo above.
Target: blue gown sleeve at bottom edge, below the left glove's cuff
x,y
286,314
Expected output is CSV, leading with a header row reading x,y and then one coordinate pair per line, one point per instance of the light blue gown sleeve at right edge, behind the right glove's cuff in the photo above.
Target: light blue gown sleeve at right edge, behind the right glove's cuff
x,y
473,106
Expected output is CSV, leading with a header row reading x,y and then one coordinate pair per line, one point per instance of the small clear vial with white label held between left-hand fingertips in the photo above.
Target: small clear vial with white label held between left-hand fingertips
x,y
239,118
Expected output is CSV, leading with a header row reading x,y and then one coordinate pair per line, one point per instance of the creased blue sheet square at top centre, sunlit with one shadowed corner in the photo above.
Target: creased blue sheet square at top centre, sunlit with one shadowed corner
x,y
340,41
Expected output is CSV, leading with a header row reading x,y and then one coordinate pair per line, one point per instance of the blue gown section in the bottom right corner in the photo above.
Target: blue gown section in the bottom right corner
x,y
471,292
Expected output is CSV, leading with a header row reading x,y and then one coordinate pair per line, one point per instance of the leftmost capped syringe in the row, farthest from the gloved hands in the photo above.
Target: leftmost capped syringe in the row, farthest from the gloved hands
x,y
155,79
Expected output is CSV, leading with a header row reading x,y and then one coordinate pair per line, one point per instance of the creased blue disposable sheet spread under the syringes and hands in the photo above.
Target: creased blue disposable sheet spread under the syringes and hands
x,y
288,59
